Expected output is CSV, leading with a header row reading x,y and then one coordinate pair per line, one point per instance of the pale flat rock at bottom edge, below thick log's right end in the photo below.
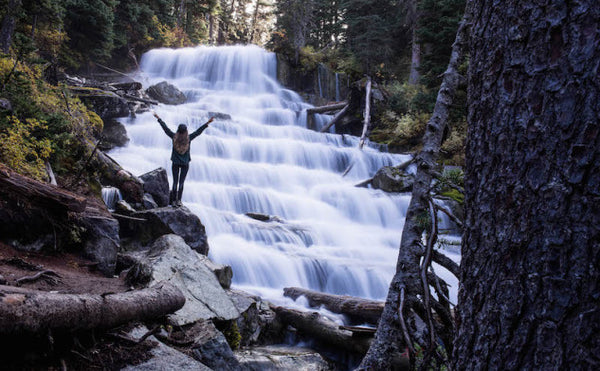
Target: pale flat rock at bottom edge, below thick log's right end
x,y
163,357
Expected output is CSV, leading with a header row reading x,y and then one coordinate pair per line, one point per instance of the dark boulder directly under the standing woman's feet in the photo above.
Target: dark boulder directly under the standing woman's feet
x,y
165,220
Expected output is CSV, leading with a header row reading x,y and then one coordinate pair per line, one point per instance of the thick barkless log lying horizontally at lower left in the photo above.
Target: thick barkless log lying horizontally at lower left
x,y
35,312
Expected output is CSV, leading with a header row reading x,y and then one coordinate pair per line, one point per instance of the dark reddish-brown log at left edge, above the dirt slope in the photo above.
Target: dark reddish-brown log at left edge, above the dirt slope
x,y
39,193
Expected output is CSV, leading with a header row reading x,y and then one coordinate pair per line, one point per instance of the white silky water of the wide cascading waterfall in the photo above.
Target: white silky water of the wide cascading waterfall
x,y
333,237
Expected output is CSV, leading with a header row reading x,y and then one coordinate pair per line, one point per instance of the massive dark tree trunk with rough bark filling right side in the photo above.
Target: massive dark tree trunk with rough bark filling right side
x,y
529,297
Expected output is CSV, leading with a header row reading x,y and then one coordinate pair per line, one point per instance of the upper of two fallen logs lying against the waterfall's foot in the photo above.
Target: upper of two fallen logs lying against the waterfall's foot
x,y
358,309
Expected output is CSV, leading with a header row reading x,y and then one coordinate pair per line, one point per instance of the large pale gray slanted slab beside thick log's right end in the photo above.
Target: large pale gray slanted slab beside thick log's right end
x,y
174,261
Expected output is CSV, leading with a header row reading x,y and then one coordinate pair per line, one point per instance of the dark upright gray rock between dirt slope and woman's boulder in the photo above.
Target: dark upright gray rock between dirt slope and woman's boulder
x,y
101,241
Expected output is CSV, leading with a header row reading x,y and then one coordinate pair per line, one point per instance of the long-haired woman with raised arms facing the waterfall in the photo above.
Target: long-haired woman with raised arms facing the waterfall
x,y
180,156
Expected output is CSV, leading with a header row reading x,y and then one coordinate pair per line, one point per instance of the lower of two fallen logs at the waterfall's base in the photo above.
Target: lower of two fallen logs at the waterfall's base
x,y
319,327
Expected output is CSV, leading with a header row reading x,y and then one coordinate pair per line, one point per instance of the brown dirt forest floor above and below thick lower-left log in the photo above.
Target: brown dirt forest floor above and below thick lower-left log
x,y
84,350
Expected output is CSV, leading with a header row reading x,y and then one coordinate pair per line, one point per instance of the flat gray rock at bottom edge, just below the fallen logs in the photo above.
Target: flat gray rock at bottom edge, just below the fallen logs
x,y
282,358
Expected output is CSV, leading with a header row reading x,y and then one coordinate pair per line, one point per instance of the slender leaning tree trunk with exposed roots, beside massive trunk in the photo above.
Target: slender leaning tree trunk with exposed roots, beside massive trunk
x,y
406,288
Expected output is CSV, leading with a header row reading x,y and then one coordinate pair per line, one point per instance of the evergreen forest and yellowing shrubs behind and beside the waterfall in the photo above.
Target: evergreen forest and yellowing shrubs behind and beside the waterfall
x,y
403,45
